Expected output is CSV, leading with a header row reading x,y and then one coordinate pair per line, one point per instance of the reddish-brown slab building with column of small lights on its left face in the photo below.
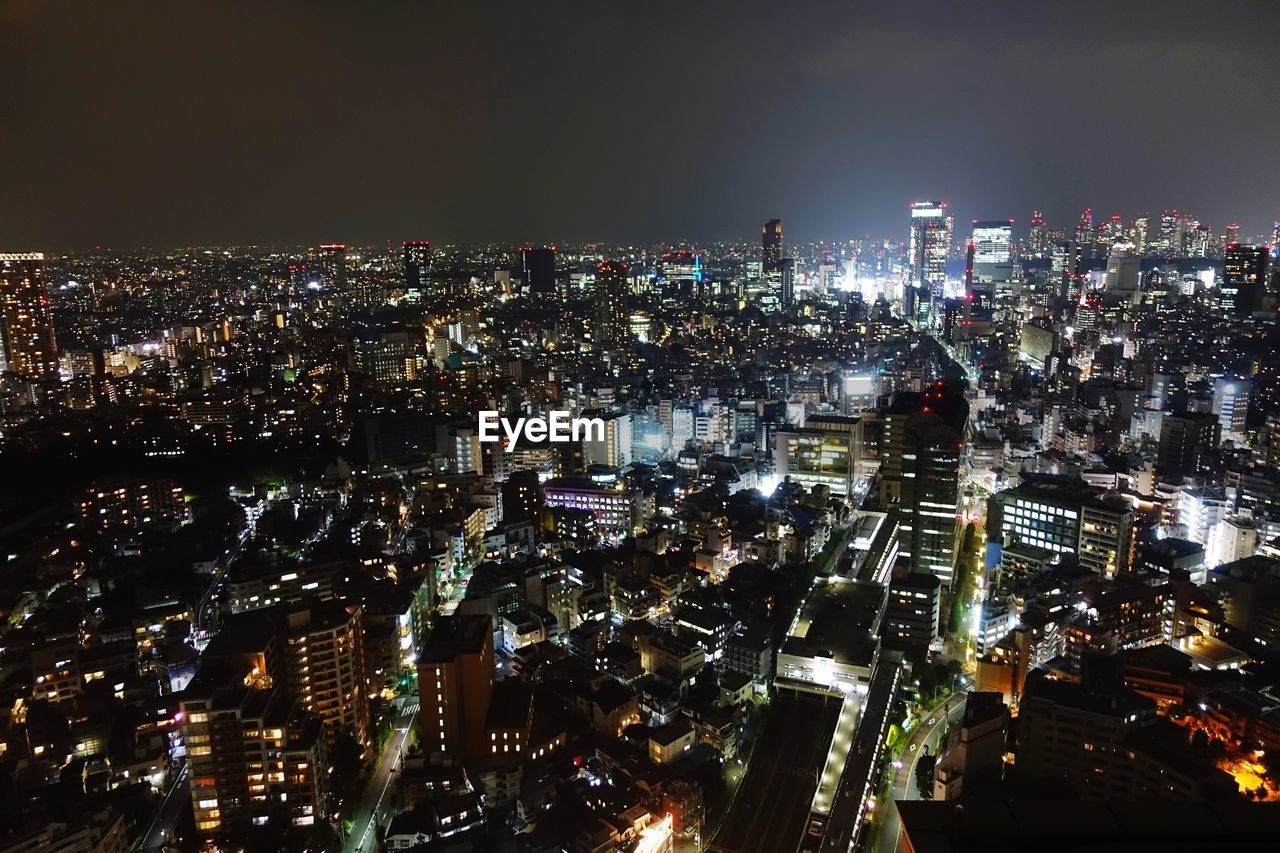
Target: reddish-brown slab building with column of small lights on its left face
x,y
455,682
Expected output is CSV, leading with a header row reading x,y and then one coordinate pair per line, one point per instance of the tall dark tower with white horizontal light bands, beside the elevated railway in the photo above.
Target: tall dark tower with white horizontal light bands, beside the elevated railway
x,y
921,445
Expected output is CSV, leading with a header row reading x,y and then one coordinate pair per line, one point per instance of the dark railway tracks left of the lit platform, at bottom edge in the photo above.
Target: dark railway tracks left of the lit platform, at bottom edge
x,y
772,805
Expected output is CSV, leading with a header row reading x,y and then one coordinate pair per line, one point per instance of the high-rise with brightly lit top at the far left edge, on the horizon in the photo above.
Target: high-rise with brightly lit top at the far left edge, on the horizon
x,y
28,344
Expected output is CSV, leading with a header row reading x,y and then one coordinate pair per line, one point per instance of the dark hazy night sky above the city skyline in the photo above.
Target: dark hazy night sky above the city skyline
x,y
167,125
